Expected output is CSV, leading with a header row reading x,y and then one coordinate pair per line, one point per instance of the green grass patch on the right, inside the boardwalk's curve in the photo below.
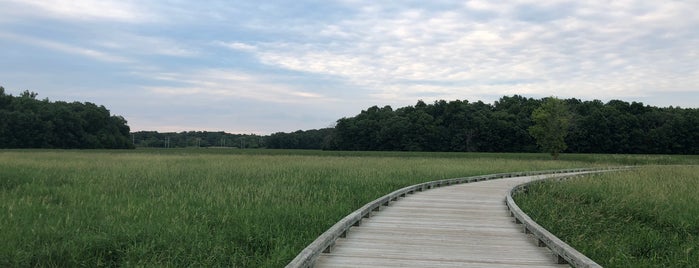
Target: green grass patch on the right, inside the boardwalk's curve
x,y
647,217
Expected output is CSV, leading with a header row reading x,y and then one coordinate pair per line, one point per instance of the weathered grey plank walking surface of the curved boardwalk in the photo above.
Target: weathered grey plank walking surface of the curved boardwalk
x,y
465,225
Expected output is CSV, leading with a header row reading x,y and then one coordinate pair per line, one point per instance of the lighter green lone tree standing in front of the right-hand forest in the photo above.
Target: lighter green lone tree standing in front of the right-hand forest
x,y
551,122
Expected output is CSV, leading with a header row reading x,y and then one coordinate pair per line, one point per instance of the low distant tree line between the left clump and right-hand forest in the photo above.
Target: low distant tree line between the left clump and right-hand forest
x,y
197,139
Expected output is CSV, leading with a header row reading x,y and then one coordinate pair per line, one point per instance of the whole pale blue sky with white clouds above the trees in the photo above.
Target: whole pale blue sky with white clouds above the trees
x,y
267,66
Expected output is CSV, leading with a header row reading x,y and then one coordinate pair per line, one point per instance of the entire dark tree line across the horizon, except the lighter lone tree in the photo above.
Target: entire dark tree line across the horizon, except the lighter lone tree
x,y
504,126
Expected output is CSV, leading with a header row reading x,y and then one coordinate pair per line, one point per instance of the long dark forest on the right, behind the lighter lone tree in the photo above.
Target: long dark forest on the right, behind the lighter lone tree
x,y
595,127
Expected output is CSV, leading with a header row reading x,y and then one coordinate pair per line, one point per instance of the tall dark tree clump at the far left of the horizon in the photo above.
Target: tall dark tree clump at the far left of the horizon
x,y
26,122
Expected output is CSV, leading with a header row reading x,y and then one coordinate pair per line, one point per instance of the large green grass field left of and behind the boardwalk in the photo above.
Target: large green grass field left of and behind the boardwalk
x,y
207,207
